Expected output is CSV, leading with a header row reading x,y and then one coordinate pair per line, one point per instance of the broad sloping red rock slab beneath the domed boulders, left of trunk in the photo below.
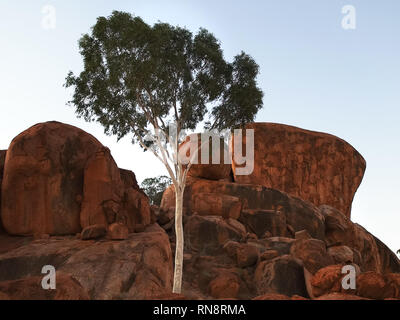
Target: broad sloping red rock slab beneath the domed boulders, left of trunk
x,y
136,268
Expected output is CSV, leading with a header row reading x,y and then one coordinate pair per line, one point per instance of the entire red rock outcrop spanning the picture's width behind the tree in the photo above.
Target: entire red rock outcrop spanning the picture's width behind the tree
x,y
242,241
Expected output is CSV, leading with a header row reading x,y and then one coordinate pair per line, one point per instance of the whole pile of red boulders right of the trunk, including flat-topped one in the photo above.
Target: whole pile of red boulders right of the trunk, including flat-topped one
x,y
283,231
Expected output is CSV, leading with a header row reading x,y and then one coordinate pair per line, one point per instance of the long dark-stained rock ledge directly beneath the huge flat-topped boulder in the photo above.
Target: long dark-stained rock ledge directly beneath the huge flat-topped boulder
x,y
256,201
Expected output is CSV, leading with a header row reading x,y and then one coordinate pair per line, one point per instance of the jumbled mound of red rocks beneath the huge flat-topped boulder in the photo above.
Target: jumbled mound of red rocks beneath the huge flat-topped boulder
x,y
276,240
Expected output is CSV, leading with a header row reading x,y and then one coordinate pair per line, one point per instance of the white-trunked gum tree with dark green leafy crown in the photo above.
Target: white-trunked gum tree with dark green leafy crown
x,y
139,80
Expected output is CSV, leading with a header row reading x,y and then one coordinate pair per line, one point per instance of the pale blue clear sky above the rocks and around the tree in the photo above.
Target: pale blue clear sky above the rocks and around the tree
x,y
315,75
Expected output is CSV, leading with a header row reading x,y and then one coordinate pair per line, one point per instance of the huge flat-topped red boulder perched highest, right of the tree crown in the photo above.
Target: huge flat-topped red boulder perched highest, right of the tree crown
x,y
313,166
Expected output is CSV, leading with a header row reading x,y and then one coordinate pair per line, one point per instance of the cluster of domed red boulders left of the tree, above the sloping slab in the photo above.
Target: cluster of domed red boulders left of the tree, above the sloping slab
x,y
59,179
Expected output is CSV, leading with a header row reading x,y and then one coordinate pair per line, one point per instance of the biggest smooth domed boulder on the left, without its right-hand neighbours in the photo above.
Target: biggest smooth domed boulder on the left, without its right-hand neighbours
x,y
43,179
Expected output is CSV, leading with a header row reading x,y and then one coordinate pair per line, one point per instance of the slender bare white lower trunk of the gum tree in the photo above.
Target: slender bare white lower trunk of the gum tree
x,y
179,240
